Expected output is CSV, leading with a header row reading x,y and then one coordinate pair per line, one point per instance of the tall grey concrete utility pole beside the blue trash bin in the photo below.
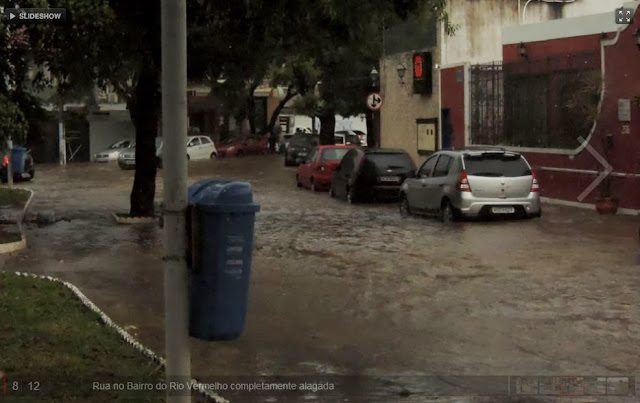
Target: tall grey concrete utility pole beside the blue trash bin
x,y
174,129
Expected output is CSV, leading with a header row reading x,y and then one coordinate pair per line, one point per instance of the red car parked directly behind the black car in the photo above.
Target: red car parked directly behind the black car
x,y
315,173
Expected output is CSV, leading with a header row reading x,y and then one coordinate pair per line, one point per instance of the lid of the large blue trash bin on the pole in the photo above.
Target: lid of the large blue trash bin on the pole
x,y
215,195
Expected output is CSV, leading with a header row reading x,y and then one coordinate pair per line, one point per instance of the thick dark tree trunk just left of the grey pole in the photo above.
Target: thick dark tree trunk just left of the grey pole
x,y
145,111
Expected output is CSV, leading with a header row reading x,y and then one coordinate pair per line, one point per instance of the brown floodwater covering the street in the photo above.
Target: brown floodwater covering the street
x,y
342,289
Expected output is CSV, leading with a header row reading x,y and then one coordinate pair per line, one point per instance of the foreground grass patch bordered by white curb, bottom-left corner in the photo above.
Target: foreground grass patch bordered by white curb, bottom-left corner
x,y
48,336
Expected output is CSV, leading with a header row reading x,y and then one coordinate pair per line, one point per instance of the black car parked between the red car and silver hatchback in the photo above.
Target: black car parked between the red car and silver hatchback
x,y
368,174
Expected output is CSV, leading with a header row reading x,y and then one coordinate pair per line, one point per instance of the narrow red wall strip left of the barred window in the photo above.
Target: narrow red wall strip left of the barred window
x,y
453,99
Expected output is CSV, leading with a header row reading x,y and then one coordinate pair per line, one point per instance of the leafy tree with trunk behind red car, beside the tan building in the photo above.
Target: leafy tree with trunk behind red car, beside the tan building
x,y
344,38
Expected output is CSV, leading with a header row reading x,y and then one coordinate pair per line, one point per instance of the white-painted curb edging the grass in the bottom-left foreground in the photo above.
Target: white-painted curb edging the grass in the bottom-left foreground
x,y
123,333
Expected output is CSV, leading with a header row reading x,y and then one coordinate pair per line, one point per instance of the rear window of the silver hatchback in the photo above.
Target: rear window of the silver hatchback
x,y
496,164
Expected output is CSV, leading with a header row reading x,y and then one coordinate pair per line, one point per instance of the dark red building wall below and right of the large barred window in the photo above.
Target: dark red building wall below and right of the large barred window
x,y
622,81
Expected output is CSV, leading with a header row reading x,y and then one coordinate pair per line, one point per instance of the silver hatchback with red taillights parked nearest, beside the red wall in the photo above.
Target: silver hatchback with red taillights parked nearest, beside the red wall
x,y
471,183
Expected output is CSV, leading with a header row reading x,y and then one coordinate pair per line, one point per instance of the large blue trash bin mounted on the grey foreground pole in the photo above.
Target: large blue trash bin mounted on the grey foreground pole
x,y
221,218
